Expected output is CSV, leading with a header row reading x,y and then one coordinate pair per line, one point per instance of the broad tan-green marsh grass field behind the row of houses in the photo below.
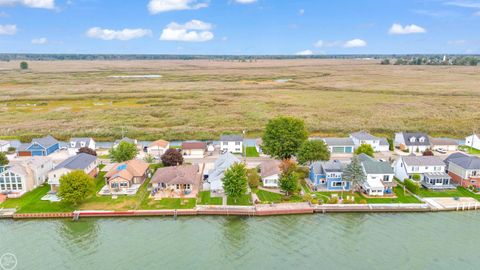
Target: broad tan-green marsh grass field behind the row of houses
x,y
200,99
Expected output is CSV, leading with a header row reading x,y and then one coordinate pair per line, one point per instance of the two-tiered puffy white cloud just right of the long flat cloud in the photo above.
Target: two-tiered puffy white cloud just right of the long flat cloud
x,y
192,31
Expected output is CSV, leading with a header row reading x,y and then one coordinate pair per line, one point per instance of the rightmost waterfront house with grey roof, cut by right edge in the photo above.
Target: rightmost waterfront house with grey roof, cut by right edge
x,y
464,169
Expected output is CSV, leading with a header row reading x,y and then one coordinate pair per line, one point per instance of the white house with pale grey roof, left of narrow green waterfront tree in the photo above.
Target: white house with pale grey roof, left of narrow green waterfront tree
x,y
214,181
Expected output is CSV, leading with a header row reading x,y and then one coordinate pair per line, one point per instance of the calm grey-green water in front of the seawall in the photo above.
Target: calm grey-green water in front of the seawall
x,y
341,241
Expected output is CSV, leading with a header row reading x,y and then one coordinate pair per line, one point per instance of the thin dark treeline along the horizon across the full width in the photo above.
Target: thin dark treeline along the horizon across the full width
x,y
401,59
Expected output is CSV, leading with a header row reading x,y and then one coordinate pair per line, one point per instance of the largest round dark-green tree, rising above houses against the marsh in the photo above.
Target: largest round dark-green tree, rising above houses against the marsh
x,y
283,137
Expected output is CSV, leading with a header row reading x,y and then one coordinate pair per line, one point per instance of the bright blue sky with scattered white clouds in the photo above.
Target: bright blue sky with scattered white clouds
x,y
240,27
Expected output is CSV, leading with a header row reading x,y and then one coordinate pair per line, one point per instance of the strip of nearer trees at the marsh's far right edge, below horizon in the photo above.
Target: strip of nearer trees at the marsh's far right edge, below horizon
x,y
455,60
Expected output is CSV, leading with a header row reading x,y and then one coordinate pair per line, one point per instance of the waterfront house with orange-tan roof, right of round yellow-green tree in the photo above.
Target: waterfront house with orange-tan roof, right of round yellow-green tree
x,y
126,177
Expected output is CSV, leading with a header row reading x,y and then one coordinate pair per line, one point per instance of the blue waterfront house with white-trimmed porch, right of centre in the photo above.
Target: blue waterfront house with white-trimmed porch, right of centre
x,y
328,176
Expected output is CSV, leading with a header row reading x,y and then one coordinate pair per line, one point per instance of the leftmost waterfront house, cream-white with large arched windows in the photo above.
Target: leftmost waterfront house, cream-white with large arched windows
x,y
22,176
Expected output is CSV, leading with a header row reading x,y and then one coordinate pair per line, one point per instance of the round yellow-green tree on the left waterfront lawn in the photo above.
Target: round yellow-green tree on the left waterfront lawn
x,y
75,187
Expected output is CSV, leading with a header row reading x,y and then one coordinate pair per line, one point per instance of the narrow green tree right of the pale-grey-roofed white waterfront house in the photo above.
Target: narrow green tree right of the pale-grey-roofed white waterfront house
x,y
235,181
